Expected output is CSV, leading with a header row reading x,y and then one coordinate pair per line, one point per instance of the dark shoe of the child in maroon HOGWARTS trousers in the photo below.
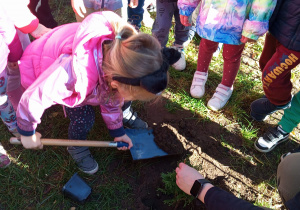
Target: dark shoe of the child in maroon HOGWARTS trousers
x,y
262,107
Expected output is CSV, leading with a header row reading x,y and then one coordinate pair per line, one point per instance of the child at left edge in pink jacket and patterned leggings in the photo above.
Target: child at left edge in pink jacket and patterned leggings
x,y
13,14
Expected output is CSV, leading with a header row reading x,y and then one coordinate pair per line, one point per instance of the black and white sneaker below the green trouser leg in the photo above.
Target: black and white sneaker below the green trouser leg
x,y
271,139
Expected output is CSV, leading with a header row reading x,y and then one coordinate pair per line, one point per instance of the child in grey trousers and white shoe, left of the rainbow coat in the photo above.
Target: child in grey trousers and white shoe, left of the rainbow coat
x,y
165,10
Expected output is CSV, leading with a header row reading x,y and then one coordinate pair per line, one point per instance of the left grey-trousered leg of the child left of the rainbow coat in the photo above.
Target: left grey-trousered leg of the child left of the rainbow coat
x,y
163,21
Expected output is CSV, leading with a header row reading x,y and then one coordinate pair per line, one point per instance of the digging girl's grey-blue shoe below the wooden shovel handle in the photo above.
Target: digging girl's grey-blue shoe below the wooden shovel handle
x,y
84,159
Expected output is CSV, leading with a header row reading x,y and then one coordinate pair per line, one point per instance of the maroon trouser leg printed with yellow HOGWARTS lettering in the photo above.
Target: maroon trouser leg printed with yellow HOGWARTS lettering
x,y
276,75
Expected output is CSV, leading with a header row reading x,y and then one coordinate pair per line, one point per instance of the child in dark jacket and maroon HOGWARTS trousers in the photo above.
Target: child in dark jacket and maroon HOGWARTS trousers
x,y
280,55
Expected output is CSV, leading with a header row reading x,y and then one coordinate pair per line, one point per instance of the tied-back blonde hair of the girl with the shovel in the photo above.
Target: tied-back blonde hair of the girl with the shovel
x,y
131,55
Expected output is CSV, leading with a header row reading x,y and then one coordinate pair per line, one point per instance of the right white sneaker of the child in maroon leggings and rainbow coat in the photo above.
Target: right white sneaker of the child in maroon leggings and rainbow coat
x,y
220,97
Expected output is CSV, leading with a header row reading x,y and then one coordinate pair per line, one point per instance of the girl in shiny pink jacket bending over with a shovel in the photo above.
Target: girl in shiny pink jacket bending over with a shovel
x,y
79,65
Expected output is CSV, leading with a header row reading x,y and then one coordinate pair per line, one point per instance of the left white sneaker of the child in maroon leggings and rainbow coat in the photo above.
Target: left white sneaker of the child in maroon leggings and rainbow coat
x,y
198,85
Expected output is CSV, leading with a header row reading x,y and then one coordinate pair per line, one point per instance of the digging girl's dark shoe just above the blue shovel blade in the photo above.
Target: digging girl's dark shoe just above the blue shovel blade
x,y
131,120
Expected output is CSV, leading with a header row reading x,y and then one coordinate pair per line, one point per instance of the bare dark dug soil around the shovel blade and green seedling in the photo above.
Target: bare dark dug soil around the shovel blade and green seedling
x,y
187,135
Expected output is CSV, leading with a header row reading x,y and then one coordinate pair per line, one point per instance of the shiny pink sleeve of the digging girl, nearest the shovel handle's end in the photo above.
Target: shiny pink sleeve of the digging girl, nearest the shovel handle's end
x,y
48,89
